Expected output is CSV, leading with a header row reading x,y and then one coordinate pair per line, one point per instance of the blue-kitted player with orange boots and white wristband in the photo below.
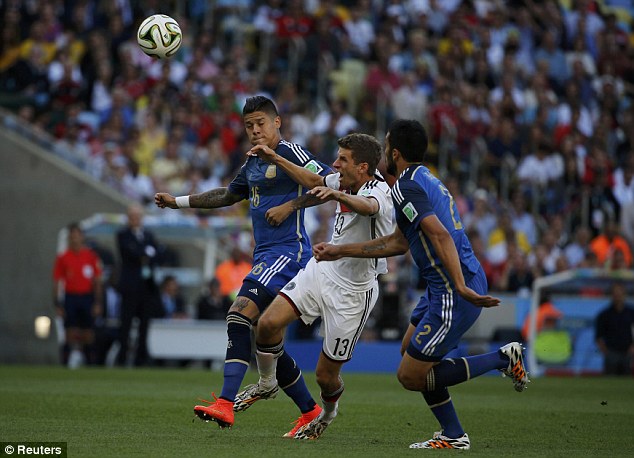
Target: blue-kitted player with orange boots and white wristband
x,y
280,252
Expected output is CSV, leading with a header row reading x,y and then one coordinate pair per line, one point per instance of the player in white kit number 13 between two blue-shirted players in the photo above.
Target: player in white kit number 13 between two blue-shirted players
x,y
342,293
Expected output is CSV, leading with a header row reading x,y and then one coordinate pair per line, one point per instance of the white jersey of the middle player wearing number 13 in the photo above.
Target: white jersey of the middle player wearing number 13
x,y
359,274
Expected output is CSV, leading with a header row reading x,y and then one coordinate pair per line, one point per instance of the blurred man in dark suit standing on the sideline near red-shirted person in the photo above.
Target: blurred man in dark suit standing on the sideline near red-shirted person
x,y
139,251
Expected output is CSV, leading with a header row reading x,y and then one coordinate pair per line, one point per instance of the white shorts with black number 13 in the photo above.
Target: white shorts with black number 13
x,y
343,312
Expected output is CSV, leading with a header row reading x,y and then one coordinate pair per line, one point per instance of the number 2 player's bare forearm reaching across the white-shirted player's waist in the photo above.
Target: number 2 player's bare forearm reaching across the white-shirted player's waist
x,y
383,247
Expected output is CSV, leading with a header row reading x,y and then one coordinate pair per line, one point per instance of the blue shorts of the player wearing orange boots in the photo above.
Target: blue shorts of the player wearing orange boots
x,y
269,275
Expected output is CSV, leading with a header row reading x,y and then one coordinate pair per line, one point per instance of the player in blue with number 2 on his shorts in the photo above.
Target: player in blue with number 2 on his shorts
x,y
429,226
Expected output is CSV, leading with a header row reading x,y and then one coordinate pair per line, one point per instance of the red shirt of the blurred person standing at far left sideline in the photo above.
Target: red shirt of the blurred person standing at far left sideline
x,y
78,270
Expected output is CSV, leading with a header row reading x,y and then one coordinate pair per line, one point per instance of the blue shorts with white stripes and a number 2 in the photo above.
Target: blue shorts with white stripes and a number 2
x,y
442,319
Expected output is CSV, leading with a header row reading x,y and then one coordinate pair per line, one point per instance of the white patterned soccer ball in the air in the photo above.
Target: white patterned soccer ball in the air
x,y
159,36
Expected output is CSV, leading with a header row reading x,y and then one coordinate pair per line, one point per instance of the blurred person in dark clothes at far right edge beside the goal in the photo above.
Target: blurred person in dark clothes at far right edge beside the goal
x,y
613,333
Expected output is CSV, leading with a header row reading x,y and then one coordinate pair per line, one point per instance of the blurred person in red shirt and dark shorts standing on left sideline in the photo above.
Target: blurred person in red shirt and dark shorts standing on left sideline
x,y
77,294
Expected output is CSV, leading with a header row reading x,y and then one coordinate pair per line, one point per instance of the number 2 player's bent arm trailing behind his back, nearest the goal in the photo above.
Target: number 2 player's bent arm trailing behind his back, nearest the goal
x,y
446,249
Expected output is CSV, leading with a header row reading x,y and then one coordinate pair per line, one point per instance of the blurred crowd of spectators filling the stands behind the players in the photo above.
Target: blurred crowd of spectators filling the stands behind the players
x,y
528,104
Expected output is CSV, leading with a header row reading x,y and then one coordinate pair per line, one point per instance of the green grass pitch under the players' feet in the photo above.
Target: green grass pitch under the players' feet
x,y
148,412
